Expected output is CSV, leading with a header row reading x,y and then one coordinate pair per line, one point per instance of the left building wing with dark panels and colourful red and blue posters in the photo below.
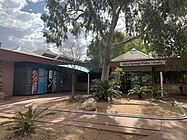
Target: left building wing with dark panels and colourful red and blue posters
x,y
26,73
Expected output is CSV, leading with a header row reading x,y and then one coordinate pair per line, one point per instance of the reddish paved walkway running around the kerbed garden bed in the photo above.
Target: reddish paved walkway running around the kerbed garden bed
x,y
152,129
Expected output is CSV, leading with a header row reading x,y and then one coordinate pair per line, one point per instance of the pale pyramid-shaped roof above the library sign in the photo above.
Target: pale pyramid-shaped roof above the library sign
x,y
133,54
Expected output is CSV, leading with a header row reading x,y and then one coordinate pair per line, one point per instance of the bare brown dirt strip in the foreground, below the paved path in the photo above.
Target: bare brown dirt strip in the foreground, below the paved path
x,y
64,132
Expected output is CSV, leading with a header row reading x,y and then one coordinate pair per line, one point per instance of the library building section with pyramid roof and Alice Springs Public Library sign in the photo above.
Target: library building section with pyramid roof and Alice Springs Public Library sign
x,y
142,69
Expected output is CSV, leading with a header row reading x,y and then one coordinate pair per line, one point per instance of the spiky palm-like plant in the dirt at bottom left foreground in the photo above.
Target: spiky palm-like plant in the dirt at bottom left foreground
x,y
24,123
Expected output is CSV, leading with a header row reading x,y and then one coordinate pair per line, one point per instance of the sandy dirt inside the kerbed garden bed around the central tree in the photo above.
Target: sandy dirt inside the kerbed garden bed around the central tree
x,y
121,106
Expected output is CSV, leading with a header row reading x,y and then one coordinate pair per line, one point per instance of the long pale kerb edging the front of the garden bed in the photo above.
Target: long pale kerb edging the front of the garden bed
x,y
182,117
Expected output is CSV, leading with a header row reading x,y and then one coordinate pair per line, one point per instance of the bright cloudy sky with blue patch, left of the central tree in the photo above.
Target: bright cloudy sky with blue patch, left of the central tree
x,y
21,25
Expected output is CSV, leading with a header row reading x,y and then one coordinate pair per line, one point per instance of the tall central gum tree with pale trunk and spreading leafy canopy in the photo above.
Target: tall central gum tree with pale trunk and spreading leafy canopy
x,y
100,18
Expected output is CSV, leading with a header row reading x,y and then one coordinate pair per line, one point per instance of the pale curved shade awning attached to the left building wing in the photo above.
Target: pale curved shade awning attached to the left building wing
x,y
77,67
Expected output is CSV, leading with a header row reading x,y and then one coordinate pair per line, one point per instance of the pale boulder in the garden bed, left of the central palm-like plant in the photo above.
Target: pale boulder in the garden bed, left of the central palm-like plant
x,y
89,105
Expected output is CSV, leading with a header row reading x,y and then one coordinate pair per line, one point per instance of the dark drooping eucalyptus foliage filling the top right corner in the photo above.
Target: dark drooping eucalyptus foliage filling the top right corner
x,y
166,26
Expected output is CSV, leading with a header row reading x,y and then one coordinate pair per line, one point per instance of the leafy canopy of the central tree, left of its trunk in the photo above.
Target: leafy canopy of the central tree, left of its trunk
x,y
87,15
